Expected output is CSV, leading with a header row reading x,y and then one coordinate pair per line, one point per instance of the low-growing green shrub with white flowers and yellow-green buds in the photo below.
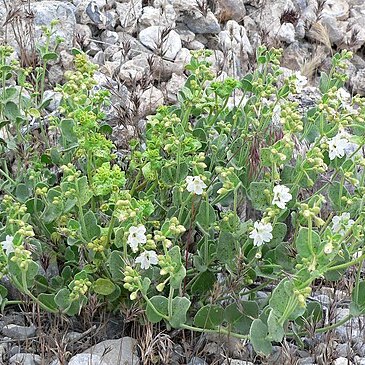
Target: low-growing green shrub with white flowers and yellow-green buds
x,y
237,189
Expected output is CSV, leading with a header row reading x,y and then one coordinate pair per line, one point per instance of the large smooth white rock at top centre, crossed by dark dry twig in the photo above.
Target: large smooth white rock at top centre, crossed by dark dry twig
x,y
164,42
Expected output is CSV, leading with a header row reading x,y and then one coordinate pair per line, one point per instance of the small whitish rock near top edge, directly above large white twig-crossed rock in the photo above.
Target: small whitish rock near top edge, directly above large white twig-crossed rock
x,y
164,16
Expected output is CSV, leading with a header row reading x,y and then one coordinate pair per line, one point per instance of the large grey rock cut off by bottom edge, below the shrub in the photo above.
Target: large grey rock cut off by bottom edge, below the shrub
x,y
115,352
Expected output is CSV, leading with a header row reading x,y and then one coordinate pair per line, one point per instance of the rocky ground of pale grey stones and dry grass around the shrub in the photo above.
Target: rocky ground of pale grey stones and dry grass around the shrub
x,y
141,47
